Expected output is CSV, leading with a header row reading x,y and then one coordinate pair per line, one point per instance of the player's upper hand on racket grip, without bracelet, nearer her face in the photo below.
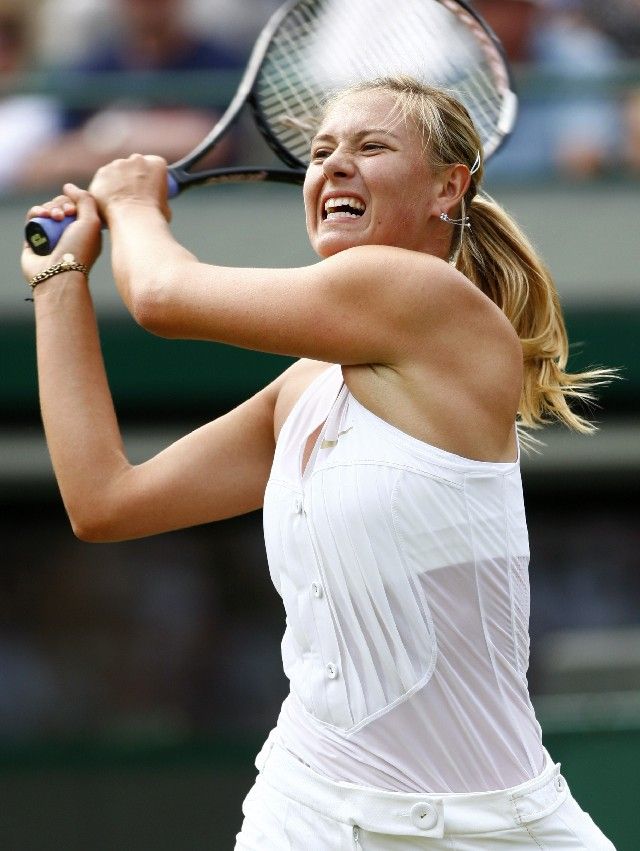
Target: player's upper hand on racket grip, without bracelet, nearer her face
x,y
136,180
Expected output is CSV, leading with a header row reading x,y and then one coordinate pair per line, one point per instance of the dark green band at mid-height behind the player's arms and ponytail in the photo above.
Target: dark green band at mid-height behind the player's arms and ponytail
x,y
149,374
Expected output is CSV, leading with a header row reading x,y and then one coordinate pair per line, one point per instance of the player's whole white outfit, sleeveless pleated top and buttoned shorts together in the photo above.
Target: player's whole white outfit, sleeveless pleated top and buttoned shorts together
x,y
403,571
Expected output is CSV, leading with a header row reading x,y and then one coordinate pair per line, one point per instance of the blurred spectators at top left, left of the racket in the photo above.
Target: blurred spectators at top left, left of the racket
x,y
46,140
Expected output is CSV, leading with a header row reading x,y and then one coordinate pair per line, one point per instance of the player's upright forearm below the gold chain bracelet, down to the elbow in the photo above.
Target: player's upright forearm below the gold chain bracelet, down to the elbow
x,y
77,410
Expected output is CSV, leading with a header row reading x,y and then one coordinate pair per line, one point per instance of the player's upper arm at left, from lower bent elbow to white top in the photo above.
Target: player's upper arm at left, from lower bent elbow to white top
x,y
218,471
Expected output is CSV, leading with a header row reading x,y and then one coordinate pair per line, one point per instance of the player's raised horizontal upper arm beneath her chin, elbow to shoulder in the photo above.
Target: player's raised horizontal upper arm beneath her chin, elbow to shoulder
x,y
363,305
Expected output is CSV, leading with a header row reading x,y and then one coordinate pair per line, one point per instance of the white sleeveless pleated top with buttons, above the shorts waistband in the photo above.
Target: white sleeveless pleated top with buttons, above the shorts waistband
x,y
403,572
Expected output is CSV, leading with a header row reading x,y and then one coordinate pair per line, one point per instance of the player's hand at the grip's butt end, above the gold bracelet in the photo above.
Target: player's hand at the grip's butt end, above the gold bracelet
x,y
83,238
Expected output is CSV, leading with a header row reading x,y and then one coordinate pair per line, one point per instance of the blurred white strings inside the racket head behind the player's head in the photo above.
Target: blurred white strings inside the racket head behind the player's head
x,y
323,45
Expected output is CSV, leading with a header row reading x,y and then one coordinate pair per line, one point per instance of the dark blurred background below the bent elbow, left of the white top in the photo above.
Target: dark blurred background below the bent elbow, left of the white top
x,y
168,636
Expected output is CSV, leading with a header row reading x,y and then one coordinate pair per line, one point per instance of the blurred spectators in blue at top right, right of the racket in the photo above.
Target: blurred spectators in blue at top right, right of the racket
x,y
574,119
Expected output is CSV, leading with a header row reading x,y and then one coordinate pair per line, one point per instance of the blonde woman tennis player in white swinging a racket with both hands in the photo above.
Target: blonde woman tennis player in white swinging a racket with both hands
x,y
386,459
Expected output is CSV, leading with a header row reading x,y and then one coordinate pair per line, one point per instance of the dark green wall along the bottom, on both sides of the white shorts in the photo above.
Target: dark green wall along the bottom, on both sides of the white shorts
x,y
187,797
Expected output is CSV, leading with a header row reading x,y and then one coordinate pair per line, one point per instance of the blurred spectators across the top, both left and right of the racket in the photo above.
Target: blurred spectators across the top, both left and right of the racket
x,y
575,119
